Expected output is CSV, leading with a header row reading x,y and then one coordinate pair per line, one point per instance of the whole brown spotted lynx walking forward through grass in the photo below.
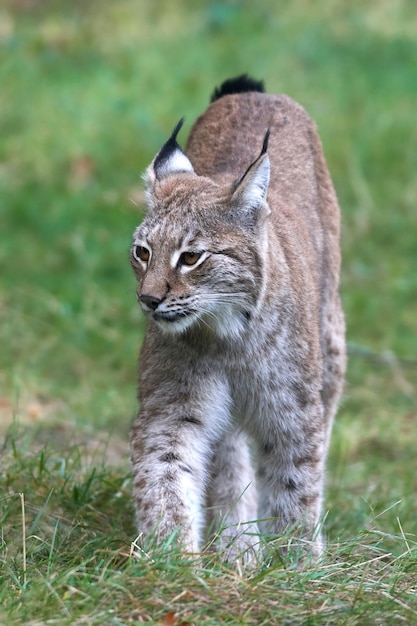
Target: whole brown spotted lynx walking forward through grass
x,y
237,264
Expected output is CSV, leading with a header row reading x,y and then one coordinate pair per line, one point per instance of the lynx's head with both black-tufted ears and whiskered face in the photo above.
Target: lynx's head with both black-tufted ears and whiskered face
x,y
199,254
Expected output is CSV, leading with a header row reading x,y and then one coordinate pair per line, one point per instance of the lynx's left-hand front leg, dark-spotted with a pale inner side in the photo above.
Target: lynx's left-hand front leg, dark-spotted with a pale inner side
x,y
170,453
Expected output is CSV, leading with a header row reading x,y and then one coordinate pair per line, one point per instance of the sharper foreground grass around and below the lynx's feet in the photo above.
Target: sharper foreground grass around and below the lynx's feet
x,y
69,560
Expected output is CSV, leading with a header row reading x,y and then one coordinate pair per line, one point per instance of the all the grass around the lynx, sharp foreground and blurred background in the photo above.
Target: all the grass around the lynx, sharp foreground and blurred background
x,y
89,91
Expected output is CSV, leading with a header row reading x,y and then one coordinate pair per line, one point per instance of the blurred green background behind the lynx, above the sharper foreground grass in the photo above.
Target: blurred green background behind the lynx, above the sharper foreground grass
x,y
89,90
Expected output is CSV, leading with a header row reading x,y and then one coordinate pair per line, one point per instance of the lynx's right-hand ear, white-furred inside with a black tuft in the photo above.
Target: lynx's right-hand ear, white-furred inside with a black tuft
x,y
252,188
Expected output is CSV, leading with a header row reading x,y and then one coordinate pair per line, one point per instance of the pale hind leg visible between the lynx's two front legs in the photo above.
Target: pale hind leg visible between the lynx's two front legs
x,y
232,500
